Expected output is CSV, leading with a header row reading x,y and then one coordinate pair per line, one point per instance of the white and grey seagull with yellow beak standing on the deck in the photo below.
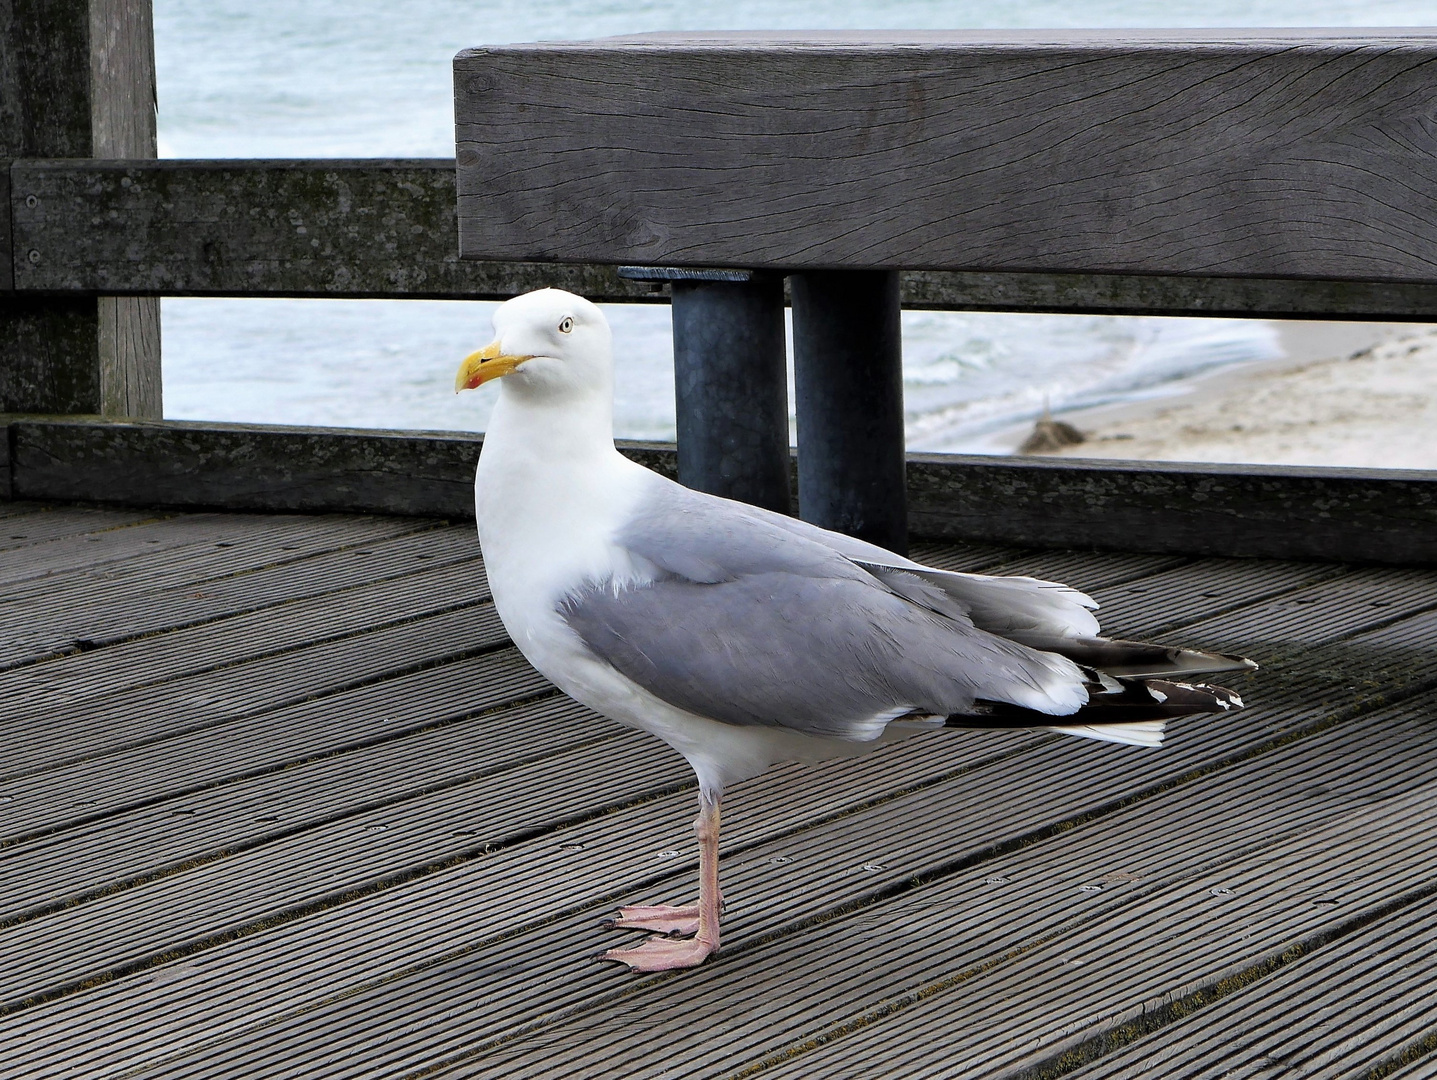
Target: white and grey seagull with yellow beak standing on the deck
x,y
745,638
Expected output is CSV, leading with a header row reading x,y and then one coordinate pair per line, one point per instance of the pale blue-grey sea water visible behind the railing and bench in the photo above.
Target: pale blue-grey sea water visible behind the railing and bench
x,y
363,78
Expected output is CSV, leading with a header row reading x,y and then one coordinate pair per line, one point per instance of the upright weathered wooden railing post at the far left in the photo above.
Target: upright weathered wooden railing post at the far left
x,y
77,81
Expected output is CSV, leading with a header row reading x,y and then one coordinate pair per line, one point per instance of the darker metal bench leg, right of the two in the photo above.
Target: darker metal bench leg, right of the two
x,y
849,378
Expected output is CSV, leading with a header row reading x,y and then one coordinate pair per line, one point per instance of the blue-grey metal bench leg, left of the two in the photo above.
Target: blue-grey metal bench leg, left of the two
x,y
731,387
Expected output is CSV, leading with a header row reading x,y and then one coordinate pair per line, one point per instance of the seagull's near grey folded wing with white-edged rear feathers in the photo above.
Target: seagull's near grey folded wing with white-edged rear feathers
x,y
754,625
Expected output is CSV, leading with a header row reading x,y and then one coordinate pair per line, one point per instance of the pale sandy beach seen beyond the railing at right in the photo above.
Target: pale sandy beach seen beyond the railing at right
x,y
1346,394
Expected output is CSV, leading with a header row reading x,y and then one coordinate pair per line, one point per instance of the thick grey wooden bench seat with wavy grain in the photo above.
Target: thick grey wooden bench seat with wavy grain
x,y
1251,154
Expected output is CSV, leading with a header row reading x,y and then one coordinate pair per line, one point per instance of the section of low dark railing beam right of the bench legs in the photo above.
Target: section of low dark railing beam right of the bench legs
x,y
1156,506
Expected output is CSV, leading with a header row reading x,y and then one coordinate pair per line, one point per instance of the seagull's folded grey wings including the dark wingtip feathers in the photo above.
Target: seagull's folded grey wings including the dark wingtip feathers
x,y
755,618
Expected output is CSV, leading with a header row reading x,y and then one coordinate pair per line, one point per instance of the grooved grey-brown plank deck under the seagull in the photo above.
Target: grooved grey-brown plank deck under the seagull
x,y
279,799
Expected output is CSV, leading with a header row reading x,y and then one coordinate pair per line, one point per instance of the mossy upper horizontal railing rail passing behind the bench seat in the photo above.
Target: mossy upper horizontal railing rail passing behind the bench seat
x,y
384,229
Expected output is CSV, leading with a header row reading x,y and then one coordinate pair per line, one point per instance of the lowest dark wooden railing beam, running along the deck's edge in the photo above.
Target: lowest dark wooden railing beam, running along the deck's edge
x,y
1357,516
